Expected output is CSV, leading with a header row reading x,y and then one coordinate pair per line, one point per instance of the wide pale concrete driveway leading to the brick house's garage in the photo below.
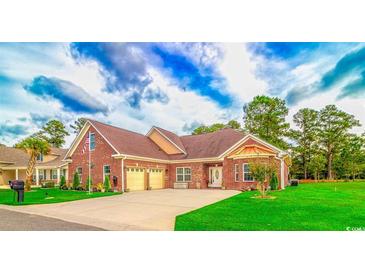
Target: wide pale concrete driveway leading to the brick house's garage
x,y
144,210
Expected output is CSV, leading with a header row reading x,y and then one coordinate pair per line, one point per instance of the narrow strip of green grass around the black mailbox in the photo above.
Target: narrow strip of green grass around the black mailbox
x,y
39,196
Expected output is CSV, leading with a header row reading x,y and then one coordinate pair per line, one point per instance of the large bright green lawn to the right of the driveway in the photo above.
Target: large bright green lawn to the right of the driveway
x,y
314,207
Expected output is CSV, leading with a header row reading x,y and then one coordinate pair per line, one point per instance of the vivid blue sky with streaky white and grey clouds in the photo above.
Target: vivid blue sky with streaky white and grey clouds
x,y
177,86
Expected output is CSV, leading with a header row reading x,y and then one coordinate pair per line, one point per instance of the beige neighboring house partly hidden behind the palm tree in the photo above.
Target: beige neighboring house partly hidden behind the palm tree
x,y
14,161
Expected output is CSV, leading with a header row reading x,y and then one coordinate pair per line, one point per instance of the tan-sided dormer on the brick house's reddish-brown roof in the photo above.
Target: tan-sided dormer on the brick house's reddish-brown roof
x,y
167,141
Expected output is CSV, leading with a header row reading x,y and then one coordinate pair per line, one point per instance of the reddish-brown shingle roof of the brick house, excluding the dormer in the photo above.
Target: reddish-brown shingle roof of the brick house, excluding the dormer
x,y
196,146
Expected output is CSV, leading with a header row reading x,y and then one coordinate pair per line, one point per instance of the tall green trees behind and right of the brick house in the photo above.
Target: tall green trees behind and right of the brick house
x,y
321,144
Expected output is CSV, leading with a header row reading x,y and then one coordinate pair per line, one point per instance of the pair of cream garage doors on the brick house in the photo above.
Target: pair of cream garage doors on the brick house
x,y
142,178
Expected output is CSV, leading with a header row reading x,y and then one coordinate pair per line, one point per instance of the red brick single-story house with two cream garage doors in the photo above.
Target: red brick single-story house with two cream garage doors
x,y
162,159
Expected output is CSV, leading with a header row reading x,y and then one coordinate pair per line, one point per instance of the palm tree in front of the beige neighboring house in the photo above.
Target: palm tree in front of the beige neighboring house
x,y
32,146
